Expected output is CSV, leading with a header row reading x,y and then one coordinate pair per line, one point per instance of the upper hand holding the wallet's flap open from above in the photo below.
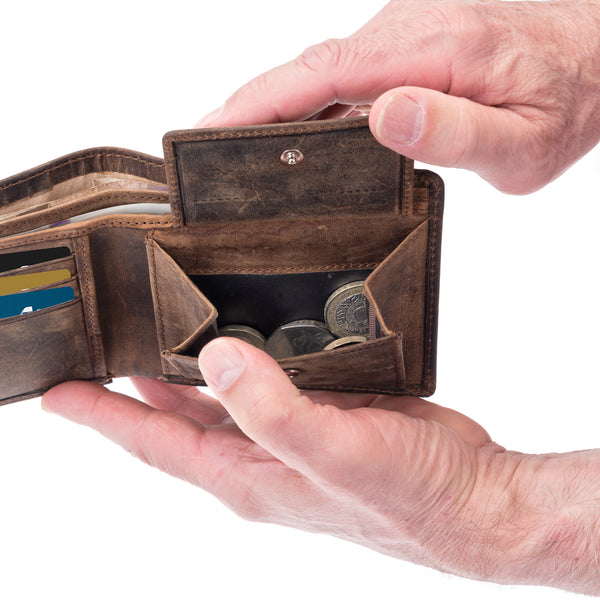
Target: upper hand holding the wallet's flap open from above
x,y
510,90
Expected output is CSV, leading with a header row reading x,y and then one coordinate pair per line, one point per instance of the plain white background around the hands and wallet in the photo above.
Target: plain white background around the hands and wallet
x,y
79,518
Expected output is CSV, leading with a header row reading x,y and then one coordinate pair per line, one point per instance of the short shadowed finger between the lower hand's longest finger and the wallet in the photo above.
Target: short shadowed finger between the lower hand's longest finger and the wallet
x,y
182,399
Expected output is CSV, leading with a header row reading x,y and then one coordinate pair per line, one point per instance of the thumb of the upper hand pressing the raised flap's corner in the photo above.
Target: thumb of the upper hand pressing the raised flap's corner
x,y
498,143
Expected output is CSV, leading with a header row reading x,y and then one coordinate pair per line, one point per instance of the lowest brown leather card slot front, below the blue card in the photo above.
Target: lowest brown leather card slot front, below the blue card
x,y
43,348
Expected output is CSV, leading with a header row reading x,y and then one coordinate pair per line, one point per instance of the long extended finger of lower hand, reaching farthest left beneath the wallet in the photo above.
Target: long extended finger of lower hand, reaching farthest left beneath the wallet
x,y
220,460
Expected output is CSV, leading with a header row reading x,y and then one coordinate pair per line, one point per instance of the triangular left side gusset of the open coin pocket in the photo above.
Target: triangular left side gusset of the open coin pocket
x,y
185,319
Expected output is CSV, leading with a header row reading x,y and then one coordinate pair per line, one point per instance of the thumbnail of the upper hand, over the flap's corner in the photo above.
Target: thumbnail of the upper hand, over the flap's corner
x,y
399,120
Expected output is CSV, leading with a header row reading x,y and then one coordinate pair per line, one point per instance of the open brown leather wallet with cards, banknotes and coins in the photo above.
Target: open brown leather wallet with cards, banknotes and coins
x,y
114,263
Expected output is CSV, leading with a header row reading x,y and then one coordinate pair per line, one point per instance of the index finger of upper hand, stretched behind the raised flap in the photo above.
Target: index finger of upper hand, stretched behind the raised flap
x,y
354,70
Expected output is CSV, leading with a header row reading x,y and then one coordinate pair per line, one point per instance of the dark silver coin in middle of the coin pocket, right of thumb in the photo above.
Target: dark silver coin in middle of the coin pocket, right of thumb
x,y
297,338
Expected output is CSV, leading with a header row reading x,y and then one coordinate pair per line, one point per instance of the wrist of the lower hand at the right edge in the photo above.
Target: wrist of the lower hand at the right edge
x,y
534,520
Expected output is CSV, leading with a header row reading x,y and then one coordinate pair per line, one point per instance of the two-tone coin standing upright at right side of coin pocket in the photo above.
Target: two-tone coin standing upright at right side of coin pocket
x,y
347,311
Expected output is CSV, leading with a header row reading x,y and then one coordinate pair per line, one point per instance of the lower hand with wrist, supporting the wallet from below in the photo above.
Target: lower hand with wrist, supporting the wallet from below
x,y
397,474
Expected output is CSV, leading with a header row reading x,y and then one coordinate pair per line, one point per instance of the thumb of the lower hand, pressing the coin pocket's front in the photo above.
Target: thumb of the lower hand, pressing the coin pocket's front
x,y
267,407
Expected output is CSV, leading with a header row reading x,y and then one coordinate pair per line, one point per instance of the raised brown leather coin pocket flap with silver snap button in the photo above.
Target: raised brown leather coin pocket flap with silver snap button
x,y
283,170
